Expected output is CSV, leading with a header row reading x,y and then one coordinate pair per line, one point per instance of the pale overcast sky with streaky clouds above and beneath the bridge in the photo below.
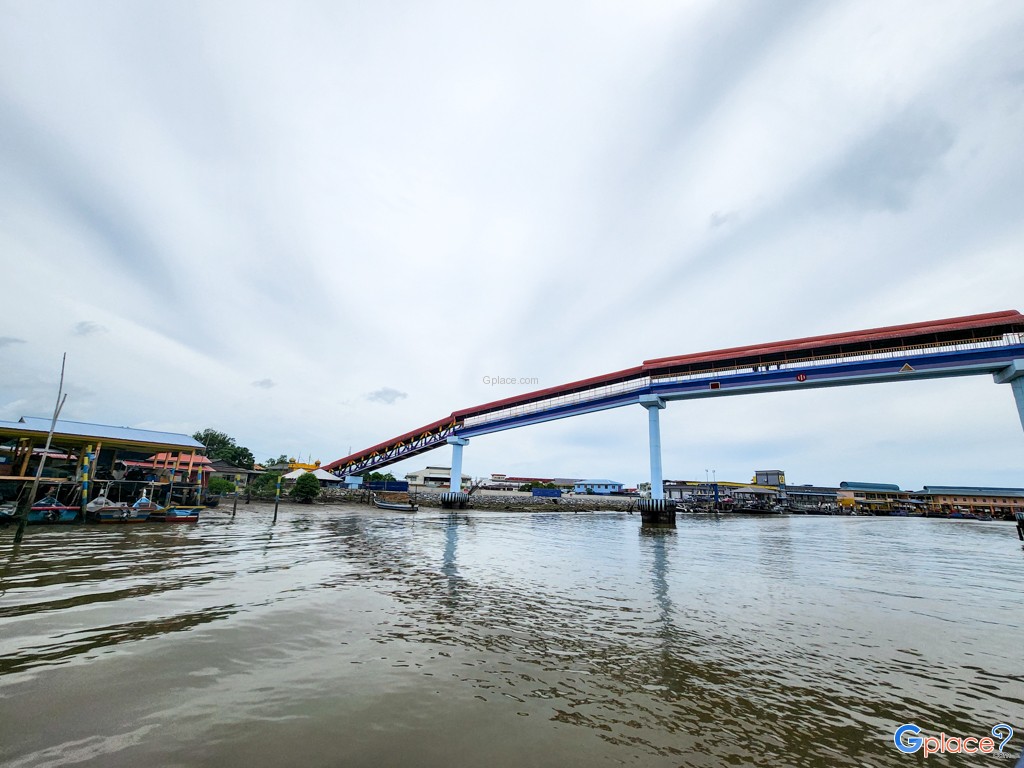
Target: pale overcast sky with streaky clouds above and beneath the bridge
x,y
315,226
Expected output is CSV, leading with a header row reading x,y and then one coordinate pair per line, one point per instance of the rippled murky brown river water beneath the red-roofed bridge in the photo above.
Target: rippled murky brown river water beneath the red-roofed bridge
x,y
343,636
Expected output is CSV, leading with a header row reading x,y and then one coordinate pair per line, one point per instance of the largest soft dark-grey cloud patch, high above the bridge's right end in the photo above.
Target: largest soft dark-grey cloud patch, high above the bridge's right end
x,y
883,172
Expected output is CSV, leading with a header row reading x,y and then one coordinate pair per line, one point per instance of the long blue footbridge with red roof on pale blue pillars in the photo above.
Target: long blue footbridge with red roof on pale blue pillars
x,y
992,344
